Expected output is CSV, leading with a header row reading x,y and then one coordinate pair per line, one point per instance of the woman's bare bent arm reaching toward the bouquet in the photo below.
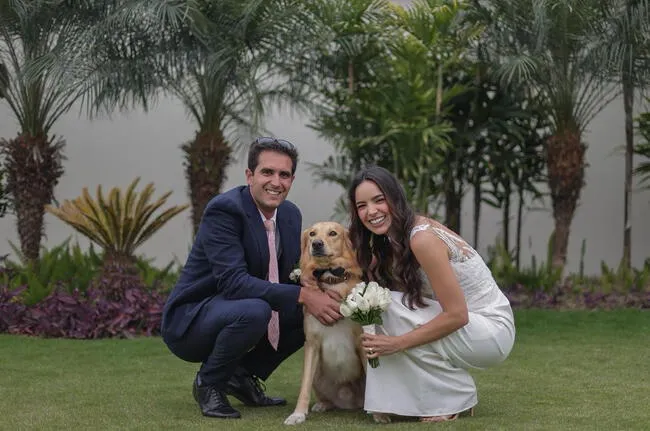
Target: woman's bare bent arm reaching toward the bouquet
x,y
432,254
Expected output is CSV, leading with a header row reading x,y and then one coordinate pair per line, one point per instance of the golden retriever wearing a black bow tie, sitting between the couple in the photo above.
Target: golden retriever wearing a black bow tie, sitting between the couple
x,y
334,362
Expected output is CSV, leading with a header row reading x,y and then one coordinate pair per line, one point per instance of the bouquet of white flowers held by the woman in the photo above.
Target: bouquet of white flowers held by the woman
x,y
364,305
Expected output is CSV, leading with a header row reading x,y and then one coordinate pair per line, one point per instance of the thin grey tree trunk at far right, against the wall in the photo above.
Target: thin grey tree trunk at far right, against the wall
x,y
628,104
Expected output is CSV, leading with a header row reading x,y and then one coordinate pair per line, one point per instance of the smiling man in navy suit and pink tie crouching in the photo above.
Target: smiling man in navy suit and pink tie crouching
x,y
224,312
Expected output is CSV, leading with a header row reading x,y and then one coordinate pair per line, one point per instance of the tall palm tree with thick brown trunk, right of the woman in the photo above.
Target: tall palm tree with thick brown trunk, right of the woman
x,y
542,43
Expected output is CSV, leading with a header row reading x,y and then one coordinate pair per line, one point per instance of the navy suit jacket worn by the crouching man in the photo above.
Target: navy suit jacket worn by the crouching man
x,y
230,257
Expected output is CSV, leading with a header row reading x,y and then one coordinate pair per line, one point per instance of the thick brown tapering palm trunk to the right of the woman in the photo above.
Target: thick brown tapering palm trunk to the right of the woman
x,y
566,169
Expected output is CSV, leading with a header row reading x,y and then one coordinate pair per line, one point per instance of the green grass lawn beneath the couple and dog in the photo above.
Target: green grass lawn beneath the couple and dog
x,y
568,370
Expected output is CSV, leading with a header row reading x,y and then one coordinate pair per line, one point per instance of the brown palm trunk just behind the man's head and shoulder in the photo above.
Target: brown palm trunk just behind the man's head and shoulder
x,y
206,160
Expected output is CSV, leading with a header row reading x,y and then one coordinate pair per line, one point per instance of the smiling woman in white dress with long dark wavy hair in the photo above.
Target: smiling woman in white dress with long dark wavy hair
x,y
447,315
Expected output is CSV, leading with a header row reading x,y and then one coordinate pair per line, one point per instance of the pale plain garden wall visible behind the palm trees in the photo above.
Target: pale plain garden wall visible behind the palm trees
x,y
136,144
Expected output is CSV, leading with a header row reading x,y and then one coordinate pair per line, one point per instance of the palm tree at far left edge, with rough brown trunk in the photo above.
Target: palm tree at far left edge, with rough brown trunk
x,y
30,30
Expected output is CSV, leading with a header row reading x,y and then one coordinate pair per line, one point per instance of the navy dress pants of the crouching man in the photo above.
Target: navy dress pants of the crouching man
x,y
227,334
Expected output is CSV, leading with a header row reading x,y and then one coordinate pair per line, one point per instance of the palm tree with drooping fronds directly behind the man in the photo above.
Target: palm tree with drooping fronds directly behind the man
x,y
227,61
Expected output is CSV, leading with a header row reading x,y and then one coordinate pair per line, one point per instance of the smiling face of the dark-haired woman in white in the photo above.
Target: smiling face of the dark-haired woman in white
x,y
372,208
